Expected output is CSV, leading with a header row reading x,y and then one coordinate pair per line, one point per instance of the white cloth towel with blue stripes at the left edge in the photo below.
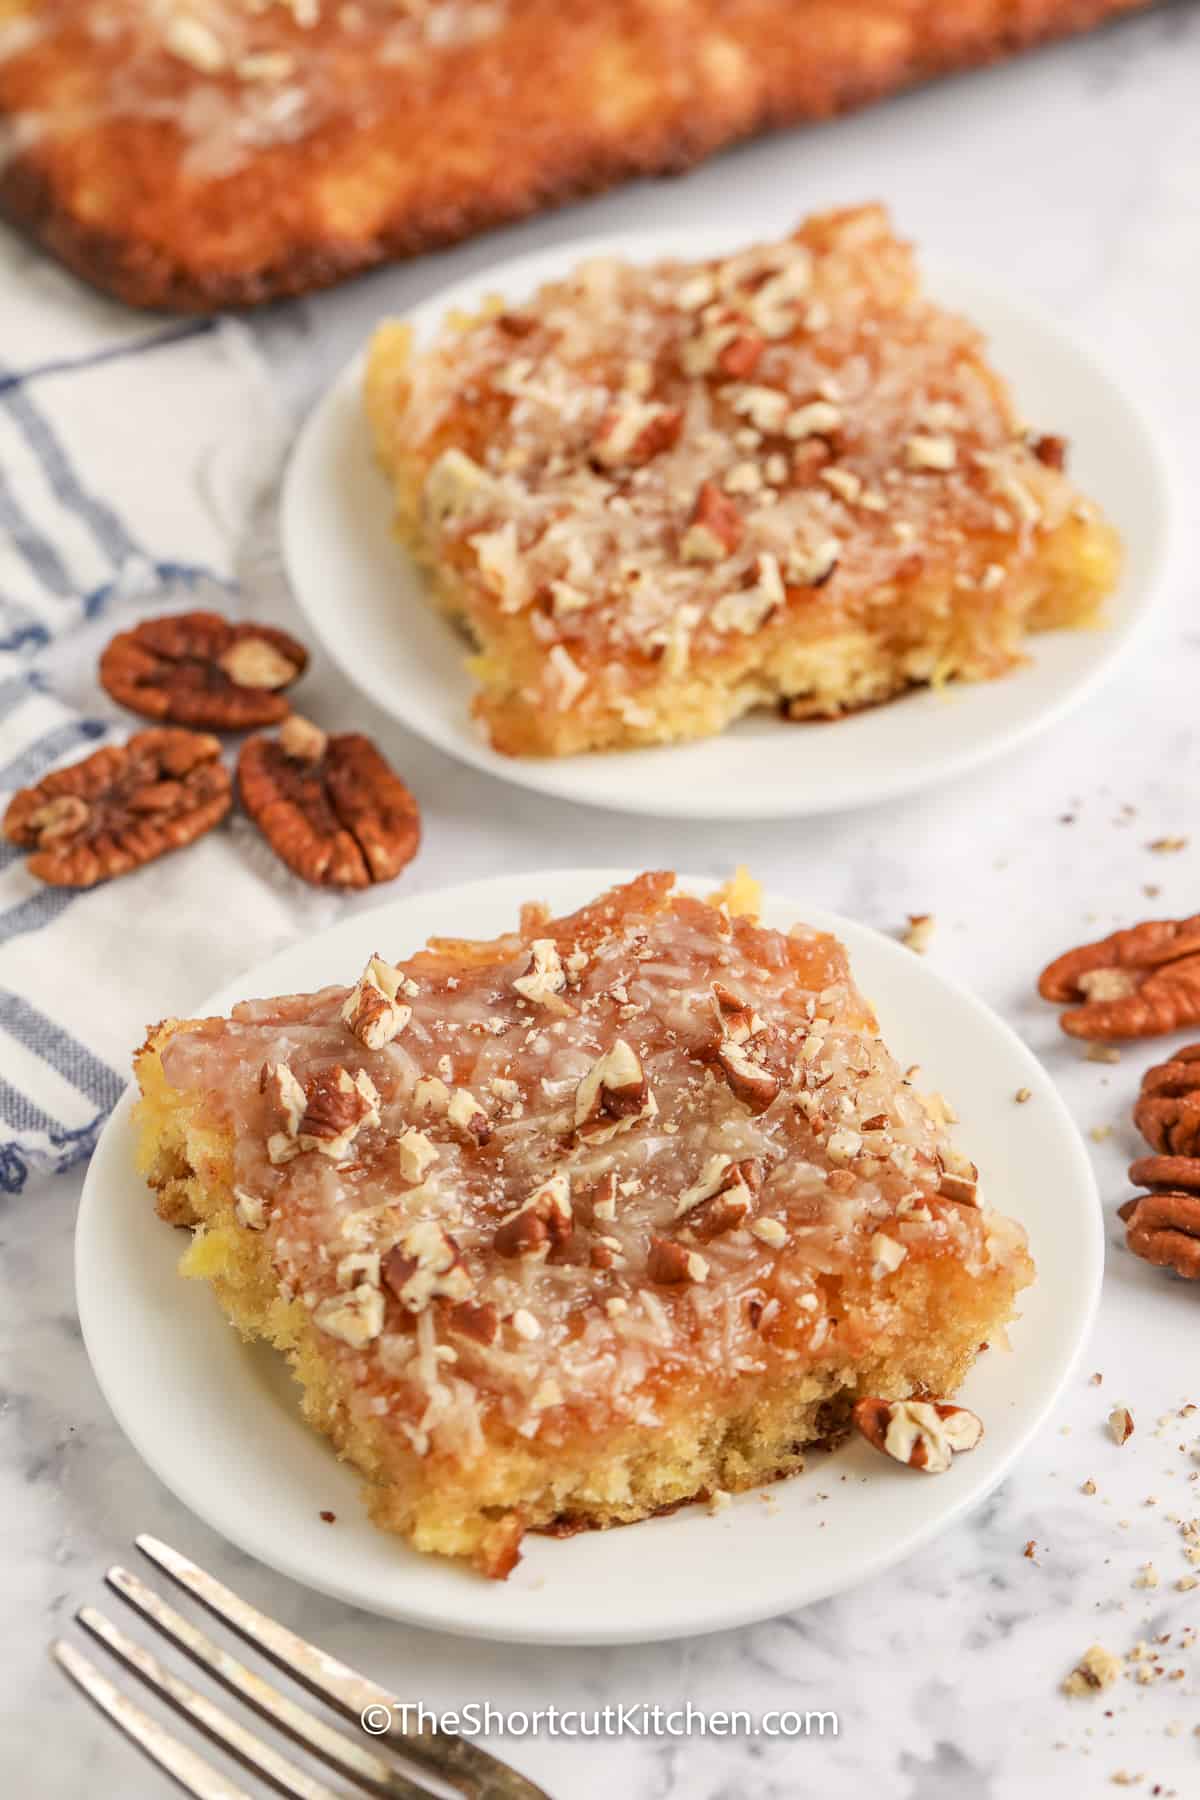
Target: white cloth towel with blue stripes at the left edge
x,y
134,460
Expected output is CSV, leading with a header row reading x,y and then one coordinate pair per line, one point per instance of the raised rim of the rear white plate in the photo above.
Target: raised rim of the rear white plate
x,y
625,795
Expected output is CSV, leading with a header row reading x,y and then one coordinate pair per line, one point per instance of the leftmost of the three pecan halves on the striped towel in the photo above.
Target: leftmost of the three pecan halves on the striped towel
x,y
121,807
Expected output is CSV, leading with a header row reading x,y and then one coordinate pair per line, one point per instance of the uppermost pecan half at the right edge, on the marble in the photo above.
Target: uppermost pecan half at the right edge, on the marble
x,y
1136,984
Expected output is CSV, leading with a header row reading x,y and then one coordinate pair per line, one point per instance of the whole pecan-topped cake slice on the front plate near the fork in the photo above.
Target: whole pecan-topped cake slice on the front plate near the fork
x,y
573,1227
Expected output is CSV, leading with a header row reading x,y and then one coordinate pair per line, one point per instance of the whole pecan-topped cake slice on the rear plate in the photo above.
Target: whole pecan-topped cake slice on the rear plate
x,y
665,496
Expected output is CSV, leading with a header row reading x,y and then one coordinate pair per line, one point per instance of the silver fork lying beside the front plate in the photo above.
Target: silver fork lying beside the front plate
x,y
452,1761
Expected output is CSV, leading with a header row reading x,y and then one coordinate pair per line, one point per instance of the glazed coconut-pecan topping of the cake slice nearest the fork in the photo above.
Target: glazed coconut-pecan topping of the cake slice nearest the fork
x,y
703,1167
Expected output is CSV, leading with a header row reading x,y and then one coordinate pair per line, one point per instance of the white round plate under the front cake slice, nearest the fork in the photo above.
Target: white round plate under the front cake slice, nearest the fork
x,y
220,1423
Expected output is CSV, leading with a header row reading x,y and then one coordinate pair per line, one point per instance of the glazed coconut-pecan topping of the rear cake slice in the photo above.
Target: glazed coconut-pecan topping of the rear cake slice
x,y
649,462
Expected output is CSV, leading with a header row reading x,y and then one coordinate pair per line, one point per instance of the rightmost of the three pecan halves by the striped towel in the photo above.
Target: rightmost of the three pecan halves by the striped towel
x,y
332,809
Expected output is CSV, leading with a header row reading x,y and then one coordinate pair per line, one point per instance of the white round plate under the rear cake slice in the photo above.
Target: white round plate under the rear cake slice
x,y
364,595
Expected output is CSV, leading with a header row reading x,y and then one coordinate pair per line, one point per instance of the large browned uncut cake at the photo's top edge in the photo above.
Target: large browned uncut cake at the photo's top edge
x,y
229,152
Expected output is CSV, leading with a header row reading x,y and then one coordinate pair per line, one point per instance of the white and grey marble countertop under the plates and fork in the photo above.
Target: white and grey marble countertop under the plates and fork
x,y
1073,179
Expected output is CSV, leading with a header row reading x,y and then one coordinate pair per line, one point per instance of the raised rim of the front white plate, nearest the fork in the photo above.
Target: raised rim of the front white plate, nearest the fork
x,y
240,1529
